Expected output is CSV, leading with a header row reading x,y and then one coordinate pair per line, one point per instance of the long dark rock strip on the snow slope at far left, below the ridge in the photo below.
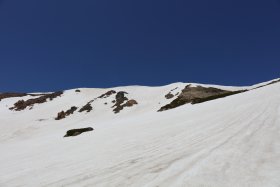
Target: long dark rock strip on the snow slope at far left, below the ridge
x,y
21,104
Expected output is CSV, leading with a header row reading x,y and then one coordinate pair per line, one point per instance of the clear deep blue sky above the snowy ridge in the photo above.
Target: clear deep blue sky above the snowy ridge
x,y
50,45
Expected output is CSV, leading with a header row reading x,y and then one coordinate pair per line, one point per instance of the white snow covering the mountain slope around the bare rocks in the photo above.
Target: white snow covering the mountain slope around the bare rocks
x,y
232,141
